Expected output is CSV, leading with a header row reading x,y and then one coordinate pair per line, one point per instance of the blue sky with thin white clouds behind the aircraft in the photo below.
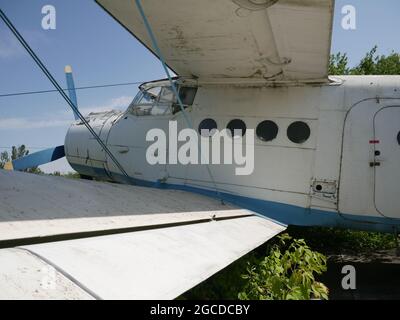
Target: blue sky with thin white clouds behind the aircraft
x,y
102,52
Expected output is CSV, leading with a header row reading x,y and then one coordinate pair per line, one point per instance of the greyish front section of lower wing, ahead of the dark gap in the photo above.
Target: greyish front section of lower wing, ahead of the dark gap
x,y
40,206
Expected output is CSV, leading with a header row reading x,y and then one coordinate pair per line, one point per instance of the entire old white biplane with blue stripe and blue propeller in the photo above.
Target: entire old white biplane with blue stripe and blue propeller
x,y
327,153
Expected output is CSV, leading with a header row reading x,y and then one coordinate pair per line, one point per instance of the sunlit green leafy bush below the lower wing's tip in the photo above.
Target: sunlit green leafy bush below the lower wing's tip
x,y
287,273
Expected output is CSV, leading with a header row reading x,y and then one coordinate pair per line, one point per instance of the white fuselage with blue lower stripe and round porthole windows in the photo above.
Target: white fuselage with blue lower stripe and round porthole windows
x,y
346,173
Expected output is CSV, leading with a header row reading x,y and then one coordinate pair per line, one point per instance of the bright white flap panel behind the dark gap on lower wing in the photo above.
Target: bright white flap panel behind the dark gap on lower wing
x,y
152,264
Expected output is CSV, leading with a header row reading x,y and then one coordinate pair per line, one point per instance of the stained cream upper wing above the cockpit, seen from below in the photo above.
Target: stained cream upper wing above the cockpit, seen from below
x,y
278,40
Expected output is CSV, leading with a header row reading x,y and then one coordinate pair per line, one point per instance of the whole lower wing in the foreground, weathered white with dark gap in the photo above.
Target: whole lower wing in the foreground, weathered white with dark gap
x,y
65,238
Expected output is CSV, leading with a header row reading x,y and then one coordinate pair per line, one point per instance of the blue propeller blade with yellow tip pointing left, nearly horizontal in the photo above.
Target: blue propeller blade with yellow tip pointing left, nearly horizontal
x,y
36,159
